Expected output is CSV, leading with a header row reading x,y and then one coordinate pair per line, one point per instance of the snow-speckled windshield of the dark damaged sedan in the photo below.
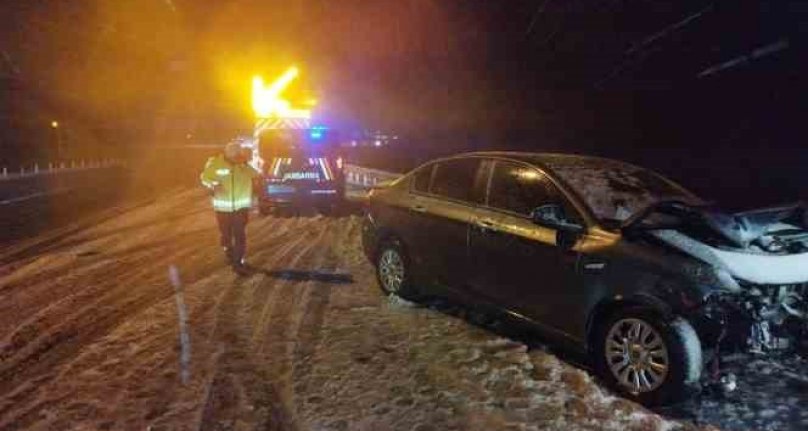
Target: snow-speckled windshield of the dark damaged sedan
x,y
615,191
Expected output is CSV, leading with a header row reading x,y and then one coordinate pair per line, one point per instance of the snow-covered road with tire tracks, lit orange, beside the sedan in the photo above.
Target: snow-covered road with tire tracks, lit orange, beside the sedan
x,y
89,338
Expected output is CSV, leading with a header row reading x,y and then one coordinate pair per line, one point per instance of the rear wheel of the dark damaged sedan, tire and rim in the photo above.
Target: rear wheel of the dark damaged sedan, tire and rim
x,y
393,270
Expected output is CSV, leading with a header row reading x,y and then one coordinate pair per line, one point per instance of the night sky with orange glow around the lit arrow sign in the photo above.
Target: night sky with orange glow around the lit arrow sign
x,y
700,85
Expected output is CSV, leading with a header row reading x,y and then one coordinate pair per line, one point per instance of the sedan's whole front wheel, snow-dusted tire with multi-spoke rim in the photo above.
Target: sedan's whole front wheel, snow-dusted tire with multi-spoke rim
x,y
633,362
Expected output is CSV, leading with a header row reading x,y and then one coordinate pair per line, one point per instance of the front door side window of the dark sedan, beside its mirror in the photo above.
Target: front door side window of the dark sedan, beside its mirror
x,y
520,189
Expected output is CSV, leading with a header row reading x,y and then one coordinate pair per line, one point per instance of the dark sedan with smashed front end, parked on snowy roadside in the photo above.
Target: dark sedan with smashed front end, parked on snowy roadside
x,y
649,281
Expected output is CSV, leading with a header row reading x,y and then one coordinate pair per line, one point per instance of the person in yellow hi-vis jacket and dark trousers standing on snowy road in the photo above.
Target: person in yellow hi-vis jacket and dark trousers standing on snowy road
x,y
229,177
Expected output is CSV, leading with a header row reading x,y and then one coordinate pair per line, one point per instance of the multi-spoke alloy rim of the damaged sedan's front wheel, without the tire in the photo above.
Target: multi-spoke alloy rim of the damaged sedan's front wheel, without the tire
x,y
637,355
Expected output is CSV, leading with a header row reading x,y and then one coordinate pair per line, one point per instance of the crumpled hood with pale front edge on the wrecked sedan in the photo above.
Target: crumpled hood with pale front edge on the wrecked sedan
x,y
765,246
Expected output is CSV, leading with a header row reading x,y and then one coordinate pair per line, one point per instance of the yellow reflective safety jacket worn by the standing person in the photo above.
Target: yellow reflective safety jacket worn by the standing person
x,y
231,183
